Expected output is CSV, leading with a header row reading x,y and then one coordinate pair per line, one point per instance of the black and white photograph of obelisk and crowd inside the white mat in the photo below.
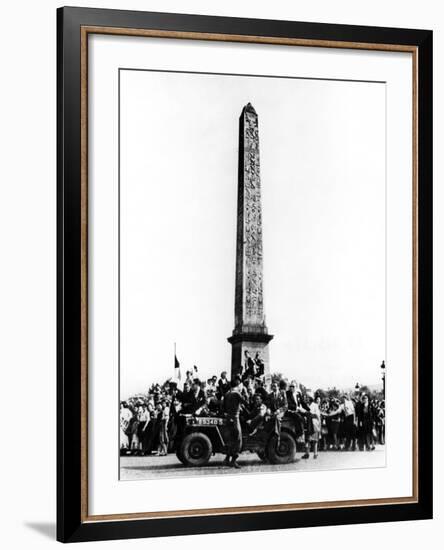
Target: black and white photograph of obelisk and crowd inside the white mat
x,y
252,274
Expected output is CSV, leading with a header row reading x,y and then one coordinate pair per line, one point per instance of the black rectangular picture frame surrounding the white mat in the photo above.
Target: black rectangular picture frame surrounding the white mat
x,y
71,524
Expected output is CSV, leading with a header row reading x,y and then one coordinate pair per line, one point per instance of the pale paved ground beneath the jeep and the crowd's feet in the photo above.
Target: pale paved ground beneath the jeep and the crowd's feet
x,y
168,466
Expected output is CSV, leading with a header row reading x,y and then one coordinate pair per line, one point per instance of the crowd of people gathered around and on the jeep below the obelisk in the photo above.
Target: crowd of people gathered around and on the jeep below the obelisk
x,y
347,422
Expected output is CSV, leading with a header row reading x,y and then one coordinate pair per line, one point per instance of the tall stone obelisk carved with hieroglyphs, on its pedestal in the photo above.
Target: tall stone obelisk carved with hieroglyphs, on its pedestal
x,y
250,332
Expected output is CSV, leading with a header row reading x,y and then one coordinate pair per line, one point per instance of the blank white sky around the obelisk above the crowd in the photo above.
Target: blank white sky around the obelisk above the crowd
x,y
322,146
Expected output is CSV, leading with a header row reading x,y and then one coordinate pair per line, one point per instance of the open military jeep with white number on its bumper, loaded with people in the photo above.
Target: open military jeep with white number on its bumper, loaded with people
x,y
200,437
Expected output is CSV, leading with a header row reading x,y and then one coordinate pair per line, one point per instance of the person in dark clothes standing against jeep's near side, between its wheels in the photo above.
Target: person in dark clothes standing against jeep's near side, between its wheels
x,y
232,404
